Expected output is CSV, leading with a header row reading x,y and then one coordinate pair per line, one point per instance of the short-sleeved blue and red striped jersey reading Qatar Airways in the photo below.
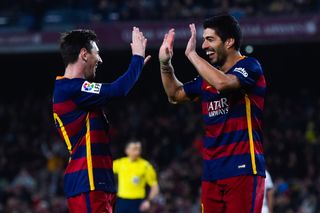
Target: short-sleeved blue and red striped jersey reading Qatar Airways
x,y
233,141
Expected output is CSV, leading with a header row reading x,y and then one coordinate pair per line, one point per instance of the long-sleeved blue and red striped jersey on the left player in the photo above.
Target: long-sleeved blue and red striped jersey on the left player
x,y
81,122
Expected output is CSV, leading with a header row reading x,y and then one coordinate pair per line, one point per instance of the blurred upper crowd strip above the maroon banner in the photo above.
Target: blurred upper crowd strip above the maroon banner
x,y
41,14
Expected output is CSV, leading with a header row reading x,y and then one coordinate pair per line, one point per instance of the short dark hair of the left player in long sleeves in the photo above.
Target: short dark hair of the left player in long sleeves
x,y
73,41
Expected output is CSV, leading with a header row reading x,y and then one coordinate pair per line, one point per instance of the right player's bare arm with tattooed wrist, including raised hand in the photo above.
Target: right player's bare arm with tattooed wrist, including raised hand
x,y
172,86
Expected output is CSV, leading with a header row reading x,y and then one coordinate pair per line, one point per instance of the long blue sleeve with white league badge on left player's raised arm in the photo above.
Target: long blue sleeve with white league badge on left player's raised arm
x,y
91,94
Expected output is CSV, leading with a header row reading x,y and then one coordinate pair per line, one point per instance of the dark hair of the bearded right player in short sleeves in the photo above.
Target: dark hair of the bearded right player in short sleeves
x,y
226,26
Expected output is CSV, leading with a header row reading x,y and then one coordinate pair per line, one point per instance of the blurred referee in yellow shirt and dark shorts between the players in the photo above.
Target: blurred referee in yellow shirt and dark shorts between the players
x,y
133,173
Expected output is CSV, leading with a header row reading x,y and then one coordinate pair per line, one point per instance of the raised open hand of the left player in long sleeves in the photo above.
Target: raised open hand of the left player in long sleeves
x,y
139,42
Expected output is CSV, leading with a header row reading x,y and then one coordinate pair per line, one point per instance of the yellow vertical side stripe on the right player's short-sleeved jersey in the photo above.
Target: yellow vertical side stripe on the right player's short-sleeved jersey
x,y
248,113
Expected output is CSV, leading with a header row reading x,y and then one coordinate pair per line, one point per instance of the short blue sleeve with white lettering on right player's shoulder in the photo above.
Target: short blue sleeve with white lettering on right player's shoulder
x,y
248,72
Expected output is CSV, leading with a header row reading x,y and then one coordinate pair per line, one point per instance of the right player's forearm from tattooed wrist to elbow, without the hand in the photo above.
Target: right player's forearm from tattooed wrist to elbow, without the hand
x,y
170,83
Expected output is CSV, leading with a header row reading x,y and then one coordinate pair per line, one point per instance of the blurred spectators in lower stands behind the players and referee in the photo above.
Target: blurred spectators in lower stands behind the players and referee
x,y
32,156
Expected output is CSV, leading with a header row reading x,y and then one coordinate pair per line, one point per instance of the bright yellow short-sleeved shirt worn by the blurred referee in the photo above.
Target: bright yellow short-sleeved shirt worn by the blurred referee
x,y
133,177
